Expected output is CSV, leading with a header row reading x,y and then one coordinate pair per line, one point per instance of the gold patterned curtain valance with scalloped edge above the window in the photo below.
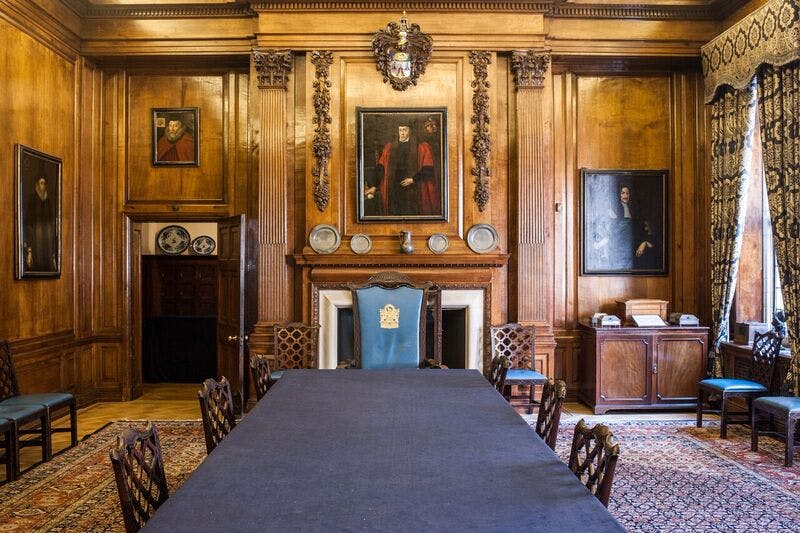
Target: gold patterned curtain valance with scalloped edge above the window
x,y
771,34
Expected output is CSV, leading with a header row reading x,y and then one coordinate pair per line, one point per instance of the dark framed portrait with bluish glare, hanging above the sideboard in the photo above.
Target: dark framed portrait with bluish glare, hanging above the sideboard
x,y
624,222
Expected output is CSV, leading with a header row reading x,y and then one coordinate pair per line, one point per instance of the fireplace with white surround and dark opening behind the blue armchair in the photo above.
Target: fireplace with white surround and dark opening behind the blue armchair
x,y
462,327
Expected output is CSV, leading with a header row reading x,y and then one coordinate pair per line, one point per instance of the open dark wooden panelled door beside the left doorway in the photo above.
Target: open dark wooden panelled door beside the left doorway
x,y
230,307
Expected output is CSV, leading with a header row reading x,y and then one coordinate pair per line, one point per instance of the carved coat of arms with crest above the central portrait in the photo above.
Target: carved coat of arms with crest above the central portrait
x,y
401,52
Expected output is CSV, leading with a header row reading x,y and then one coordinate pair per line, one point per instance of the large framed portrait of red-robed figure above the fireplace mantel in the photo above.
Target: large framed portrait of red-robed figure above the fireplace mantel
x,y
401,172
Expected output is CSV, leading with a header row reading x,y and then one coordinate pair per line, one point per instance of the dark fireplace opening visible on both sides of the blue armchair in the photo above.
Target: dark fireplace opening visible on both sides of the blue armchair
x,y
454,346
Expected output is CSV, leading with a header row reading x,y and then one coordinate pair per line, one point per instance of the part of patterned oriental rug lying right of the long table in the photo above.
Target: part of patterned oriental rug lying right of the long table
x,y
672,476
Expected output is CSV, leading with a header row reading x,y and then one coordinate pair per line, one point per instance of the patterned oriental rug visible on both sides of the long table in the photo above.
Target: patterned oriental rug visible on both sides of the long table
x,y
671,477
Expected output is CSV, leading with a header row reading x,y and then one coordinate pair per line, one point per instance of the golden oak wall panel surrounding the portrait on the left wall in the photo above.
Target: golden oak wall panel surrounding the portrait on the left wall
x,y
43,119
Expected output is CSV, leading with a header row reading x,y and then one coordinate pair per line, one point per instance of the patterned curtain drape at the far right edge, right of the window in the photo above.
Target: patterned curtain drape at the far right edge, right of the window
x,y
779,110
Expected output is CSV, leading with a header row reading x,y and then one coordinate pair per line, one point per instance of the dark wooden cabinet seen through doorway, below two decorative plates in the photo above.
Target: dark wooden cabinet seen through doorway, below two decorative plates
x,y
180,306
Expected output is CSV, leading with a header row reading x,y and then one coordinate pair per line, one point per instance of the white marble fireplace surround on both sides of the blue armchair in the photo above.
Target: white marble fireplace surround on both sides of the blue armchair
x,y
331,300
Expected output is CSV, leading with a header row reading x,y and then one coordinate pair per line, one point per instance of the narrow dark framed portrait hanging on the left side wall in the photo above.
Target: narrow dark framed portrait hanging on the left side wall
x,y
38,214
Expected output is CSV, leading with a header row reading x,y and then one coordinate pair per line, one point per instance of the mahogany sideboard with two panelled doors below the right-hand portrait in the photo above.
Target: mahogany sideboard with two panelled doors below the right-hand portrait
x,y
641,368
